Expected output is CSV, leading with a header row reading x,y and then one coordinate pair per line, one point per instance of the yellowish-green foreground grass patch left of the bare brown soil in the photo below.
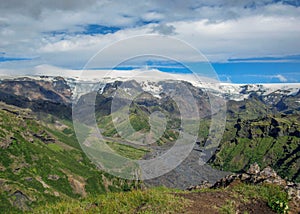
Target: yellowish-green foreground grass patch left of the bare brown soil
x,y
156,200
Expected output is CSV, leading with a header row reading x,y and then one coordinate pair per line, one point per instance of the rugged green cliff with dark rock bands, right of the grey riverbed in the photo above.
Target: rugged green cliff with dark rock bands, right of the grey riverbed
x,y
271,140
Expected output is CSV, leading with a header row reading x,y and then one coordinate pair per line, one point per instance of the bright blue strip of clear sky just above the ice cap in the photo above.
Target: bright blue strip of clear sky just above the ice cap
x,y
240,72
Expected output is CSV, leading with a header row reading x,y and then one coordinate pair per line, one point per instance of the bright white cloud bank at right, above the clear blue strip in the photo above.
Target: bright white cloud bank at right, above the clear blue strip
x,y
246,37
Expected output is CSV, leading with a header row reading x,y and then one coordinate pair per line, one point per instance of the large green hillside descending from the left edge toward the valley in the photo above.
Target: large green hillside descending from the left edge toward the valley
x,y
27,162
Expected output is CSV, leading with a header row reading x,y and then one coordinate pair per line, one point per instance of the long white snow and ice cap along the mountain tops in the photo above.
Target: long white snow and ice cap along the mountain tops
x,y
150,81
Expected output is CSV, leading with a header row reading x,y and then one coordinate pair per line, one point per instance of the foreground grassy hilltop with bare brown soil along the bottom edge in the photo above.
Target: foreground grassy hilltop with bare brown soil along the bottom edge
x,y
163,200
